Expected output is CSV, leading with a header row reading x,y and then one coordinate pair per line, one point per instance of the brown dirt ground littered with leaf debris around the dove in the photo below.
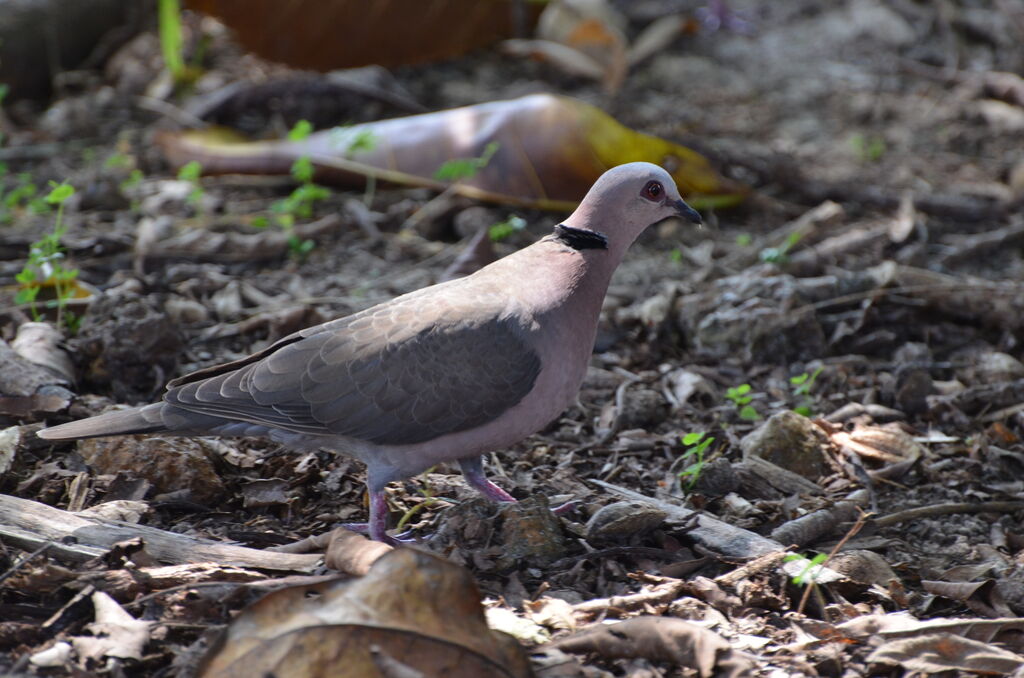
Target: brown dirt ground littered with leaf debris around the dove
x,y
889,137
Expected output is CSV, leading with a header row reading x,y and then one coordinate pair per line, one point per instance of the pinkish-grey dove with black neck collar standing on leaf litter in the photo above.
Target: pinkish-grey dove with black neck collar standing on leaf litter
x,y
444,374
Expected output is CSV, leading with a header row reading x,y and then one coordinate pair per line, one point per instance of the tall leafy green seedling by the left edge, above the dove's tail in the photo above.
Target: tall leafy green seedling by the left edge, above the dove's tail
x,y
47,265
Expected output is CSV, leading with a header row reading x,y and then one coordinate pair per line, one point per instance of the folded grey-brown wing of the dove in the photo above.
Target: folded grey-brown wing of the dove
x,y
391,375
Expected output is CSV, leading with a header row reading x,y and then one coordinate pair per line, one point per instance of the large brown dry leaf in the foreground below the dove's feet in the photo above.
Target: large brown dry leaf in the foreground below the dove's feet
x,y
413,614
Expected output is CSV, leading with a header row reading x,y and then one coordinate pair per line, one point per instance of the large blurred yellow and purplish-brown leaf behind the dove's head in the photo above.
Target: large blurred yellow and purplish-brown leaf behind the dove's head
x,y
550,150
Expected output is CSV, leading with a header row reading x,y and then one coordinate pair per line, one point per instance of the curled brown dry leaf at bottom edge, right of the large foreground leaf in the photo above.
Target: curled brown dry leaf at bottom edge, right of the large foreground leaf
x,y
662,640
